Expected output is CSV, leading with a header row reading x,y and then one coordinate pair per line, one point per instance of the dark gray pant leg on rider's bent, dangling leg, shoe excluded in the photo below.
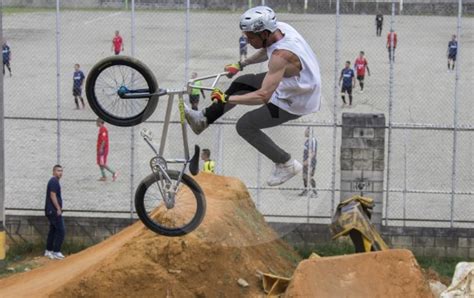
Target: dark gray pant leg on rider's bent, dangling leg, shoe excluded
x,y
250,127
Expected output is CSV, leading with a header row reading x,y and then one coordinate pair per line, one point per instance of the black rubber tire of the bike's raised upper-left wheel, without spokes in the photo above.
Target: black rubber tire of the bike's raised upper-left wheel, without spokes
x,y
101,111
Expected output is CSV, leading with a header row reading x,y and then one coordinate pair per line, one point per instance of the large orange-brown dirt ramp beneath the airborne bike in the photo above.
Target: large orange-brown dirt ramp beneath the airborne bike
x,y
232,242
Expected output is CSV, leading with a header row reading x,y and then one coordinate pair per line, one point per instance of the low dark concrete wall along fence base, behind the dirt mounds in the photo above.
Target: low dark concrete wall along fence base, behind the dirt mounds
x,y
422,241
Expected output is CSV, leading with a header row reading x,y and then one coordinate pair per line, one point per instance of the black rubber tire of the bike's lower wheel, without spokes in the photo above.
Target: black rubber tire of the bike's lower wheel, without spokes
x,y
158,228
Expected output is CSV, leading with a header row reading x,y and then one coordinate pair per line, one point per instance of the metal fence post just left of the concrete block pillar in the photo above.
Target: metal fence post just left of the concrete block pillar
x,y
334,108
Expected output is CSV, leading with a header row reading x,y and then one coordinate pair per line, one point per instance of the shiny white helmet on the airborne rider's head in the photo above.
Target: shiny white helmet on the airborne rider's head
x,y
258,19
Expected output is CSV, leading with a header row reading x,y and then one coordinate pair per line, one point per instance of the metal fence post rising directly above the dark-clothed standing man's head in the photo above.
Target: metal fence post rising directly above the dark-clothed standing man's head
x,y
58,84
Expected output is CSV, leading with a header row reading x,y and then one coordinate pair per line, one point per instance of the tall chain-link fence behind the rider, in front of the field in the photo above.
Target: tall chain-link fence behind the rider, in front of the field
x,y
429,163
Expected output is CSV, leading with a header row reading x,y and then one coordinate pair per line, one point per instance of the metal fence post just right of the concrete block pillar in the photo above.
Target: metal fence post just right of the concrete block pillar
x,y
390,112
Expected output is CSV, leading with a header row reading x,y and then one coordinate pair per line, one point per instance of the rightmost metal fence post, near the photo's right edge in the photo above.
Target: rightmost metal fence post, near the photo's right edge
x,y
455,118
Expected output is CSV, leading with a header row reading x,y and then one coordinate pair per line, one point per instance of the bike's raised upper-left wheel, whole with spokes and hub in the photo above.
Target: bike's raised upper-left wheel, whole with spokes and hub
x,y
121,75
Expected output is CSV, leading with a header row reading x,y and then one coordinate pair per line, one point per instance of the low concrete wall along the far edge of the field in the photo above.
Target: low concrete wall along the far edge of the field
x,y
413,7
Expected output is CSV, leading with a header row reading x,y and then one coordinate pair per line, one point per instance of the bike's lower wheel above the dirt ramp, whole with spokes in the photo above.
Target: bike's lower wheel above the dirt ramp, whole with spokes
x,y
183,217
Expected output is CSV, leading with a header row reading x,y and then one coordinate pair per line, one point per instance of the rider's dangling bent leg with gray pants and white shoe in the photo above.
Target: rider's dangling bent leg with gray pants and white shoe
x,y
249,127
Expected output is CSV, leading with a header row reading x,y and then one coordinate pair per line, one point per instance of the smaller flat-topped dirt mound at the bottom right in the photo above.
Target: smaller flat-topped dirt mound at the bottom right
x,y
391,273
